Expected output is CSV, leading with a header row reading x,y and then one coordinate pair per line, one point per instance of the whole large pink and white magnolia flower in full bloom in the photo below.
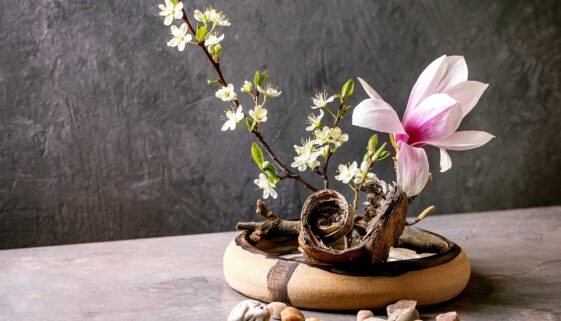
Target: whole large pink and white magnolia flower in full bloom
x,y
440,99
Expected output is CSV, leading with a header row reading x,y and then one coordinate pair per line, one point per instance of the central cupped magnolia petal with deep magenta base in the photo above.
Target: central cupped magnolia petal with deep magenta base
x,y
436,117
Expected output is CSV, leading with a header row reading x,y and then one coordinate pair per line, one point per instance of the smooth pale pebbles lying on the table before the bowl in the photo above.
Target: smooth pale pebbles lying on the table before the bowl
x,y
251,310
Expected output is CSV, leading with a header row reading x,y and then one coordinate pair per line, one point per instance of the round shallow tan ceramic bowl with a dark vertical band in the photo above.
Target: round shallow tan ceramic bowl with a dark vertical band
x,y
268,272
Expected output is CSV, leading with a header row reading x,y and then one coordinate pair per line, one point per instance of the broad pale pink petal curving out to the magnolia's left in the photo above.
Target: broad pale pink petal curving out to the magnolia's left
x,y
377,115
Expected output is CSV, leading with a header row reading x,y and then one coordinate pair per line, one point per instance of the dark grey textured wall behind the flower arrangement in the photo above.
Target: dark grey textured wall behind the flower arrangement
x,y
107,133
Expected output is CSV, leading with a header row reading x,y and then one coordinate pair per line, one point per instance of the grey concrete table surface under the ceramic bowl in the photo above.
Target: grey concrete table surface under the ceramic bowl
x,y
515,256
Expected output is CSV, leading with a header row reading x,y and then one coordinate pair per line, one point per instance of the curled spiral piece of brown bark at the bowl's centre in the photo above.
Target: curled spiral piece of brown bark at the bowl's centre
x,y
376,231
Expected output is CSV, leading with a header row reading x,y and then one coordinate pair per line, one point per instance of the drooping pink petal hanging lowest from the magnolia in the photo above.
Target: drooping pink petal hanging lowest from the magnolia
x,y
412,169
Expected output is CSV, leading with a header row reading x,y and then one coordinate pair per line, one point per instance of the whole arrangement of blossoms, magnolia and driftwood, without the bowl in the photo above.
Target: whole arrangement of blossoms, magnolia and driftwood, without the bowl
x,y
332,231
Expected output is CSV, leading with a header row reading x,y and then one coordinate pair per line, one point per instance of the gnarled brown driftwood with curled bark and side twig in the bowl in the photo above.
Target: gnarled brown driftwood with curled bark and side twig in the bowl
x,y
330,231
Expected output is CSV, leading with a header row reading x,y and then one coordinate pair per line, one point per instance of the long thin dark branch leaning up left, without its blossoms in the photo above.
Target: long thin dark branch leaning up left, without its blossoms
x,y
216,65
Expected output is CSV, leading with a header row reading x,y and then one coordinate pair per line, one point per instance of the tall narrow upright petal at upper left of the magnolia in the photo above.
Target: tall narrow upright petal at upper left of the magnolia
x,y
426,84
